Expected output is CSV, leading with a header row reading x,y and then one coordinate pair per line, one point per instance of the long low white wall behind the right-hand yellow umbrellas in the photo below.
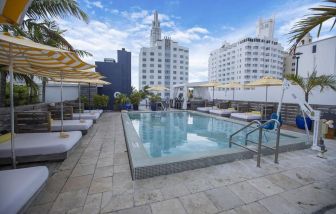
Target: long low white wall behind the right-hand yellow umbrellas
x,y
328,97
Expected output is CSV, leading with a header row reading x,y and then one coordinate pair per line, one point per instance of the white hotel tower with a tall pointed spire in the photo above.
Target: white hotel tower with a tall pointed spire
x,y
164,62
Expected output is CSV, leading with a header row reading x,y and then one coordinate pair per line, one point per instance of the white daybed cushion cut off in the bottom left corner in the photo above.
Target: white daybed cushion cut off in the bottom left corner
x,y
18,186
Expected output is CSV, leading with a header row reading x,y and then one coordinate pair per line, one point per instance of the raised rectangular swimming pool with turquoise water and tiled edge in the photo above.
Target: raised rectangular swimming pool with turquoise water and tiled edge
x,y
167,142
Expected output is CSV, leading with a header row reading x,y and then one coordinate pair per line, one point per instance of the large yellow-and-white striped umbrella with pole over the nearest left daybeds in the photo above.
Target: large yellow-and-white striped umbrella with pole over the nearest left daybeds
x,y
20,53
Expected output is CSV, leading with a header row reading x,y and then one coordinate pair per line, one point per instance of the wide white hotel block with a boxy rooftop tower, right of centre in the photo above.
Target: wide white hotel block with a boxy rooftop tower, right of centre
x,y
248,59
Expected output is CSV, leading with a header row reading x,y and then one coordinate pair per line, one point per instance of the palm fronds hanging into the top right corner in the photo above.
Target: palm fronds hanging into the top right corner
x,y
304,26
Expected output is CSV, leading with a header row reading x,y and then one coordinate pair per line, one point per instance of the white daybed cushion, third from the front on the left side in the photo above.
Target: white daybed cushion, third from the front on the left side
x,y
71,125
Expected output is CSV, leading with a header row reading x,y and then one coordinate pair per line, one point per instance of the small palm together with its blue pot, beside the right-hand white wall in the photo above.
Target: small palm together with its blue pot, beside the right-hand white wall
x,y
307,85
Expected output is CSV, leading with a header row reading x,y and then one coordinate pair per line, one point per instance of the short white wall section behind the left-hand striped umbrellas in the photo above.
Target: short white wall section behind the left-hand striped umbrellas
x,y
53,92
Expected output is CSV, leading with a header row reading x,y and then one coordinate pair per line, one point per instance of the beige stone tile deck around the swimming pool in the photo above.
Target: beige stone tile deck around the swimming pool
x,y
96,179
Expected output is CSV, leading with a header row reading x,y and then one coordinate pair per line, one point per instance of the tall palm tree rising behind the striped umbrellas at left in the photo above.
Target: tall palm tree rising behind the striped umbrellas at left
x,y
45,31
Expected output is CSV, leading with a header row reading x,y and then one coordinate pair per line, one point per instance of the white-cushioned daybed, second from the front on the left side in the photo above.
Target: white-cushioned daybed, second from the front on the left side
x,y
31,147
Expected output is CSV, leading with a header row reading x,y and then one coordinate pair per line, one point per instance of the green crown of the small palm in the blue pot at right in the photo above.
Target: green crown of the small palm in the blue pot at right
x,y
313,81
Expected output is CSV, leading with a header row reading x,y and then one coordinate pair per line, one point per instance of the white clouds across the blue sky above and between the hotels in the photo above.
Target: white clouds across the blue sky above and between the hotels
x,y
132,29
